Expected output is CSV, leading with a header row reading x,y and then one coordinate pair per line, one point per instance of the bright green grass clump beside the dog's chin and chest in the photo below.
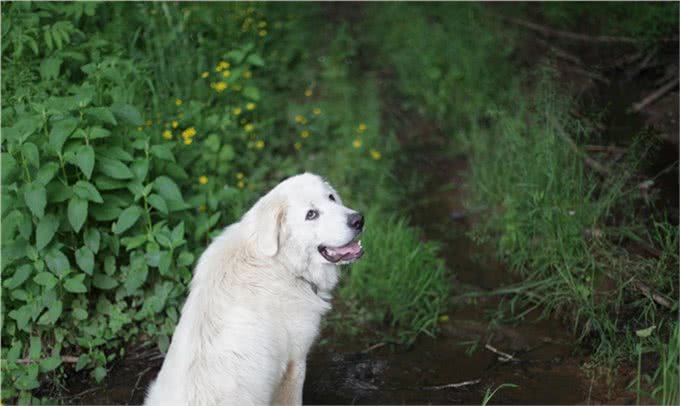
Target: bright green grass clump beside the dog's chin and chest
x,y
402,279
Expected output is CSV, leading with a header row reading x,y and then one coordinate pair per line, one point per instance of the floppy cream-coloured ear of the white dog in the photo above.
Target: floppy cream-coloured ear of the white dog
x,y
268,220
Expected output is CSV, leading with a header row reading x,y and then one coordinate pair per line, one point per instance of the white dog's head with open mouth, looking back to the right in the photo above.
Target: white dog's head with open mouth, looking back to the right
x,y
304,216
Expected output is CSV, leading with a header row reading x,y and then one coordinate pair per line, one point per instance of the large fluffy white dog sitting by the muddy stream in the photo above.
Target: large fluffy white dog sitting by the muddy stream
x,y
256,299
